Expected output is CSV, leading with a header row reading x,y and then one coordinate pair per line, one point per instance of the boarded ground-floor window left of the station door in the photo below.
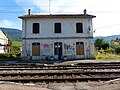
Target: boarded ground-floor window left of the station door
x,y
35,49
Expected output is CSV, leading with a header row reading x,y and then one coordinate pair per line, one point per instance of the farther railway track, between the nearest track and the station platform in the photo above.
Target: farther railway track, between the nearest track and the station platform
x,y
59,67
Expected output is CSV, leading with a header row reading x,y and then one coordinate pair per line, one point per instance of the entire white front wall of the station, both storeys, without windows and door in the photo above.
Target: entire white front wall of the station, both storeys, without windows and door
x,y
47,38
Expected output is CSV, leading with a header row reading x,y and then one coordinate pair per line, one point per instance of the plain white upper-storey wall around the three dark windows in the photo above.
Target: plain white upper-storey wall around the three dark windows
x,y
47,25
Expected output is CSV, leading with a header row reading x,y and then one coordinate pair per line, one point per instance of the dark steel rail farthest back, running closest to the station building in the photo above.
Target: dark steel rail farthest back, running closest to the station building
x,y
74,65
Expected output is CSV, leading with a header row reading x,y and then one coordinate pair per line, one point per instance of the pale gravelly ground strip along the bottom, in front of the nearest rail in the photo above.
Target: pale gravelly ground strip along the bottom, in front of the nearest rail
x,y
107,85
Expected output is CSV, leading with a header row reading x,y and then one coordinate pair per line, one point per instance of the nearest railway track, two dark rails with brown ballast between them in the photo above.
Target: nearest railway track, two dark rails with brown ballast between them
x,y
58,77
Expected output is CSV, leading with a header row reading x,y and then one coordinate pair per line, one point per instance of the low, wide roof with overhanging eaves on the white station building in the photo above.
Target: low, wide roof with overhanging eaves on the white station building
x,y
58,16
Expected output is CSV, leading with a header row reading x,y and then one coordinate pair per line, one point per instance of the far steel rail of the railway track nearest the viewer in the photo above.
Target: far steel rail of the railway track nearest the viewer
x,y
61,73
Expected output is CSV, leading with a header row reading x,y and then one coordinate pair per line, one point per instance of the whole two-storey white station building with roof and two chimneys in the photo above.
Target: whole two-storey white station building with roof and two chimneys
x,y
57,36
